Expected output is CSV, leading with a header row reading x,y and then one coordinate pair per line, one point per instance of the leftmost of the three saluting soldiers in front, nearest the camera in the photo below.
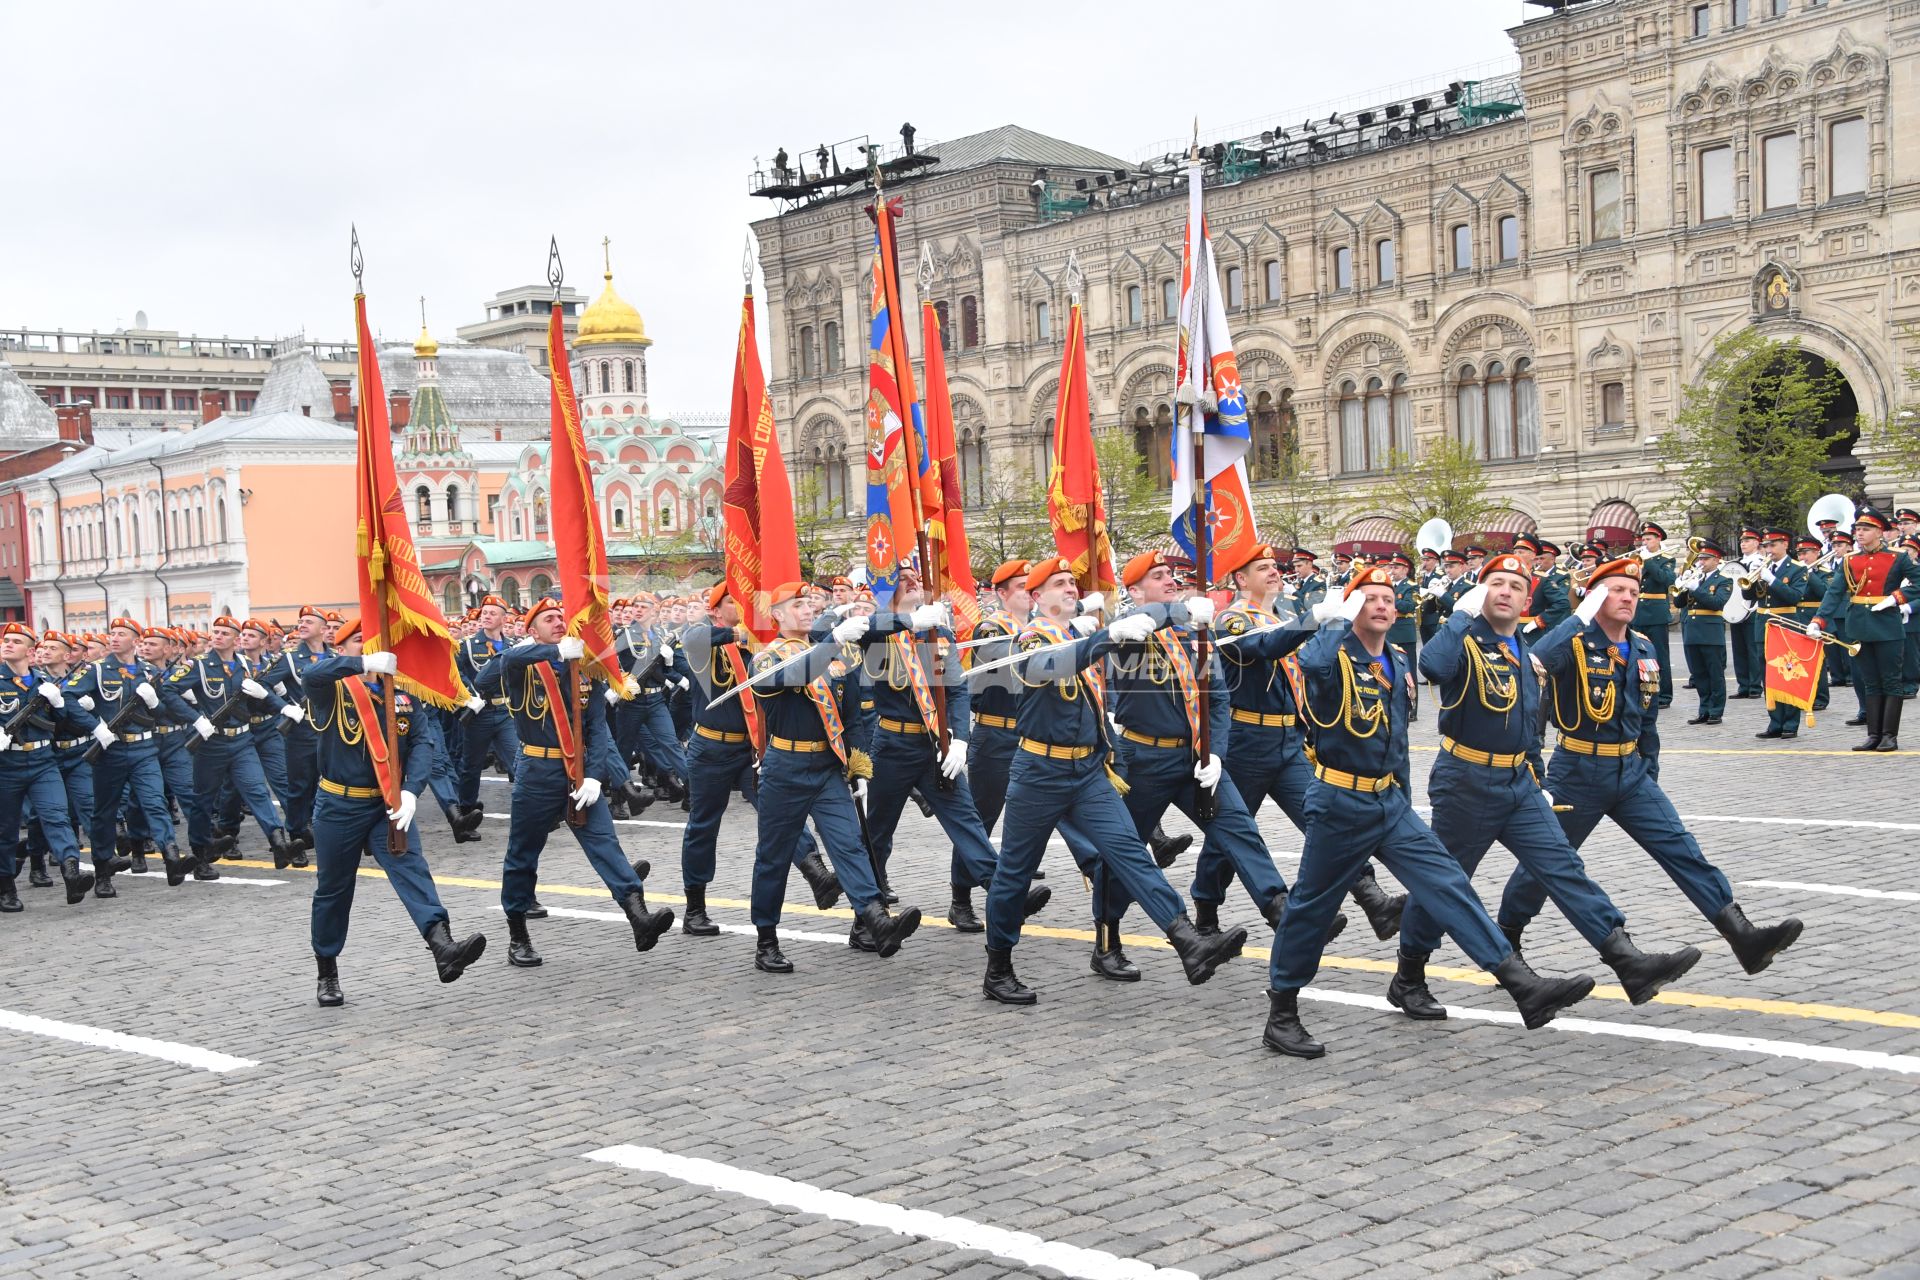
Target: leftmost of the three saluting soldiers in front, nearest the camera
x,y
1356,692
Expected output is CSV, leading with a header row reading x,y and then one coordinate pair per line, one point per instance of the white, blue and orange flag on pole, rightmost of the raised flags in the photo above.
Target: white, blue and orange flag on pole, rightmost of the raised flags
x,y
1209,387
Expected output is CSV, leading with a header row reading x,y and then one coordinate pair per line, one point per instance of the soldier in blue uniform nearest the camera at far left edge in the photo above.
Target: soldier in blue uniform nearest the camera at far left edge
x,y
34,715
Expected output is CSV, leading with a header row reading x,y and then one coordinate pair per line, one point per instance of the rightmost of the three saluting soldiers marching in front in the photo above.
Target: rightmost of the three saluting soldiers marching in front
x,y
1606,705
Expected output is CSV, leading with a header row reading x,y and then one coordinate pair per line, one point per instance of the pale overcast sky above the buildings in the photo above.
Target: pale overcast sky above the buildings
x,y
203,162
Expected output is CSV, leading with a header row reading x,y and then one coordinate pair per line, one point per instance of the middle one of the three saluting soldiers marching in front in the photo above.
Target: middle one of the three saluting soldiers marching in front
x,y
1485,784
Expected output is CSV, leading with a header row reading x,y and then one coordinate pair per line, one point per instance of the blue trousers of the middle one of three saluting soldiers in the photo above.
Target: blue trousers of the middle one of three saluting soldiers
x,y
1477,805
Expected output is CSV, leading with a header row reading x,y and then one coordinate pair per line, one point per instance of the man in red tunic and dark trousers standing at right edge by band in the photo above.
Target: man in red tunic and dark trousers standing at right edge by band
x,y
1871,590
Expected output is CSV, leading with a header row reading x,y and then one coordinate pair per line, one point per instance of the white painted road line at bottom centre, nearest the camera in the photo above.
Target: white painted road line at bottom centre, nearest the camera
x,y
1022,1248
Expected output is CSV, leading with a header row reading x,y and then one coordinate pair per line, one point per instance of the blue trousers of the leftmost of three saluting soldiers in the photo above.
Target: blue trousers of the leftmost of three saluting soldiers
x,y
1345,830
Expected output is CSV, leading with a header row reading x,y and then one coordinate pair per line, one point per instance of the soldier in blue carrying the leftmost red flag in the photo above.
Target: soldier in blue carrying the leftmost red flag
x,y
362,757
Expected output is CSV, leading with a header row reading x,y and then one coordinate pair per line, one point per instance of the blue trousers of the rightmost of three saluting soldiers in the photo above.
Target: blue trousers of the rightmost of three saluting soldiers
x,y
1625,792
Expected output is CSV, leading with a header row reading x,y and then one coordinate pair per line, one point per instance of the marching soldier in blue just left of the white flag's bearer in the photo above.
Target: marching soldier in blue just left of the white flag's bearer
x,y
1063,778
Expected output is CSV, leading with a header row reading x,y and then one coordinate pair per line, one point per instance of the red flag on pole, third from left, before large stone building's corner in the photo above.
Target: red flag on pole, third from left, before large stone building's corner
x,y
761,546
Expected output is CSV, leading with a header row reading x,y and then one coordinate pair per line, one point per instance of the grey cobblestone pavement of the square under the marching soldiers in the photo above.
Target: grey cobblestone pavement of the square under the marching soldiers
x,y
1134,1131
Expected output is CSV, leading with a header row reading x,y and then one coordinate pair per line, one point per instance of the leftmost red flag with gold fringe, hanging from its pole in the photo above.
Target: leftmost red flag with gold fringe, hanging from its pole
x,y
398,611
